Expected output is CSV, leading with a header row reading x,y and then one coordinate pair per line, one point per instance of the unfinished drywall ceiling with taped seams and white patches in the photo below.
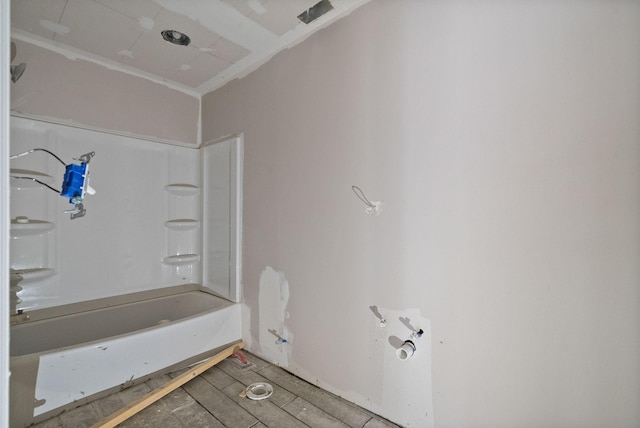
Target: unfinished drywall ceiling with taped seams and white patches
x,y
229,38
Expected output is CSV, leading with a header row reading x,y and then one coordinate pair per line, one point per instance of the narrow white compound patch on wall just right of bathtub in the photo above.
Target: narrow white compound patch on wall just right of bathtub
x,y
275,338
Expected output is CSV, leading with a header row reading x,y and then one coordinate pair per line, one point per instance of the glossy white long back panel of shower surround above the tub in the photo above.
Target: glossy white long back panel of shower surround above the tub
x,y
122,243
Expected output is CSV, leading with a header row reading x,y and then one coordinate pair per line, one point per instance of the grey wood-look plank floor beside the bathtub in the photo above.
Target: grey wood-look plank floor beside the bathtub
x,y
213,400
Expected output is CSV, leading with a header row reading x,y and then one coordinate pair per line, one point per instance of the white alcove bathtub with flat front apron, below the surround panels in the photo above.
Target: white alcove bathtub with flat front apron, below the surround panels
x,y
69,355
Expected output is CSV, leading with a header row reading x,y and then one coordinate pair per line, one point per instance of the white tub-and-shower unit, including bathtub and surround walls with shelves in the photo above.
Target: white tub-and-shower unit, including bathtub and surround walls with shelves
x,y
127,278
